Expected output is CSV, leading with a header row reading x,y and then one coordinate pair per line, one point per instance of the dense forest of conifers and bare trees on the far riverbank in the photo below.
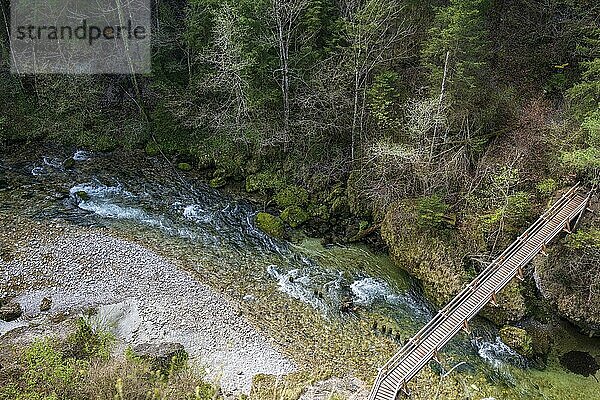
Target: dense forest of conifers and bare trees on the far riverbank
x,y
450,124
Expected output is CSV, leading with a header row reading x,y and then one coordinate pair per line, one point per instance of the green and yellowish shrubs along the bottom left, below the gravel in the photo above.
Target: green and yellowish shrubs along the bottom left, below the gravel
x,y
81,367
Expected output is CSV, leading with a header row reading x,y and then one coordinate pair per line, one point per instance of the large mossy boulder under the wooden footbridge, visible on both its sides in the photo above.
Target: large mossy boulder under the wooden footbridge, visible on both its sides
x,y
428,243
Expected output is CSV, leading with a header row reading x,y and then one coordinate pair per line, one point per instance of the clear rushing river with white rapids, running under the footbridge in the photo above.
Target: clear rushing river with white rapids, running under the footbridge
x,y
346,307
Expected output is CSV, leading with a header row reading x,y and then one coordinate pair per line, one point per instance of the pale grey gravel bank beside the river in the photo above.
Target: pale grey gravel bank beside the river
x,y
141,296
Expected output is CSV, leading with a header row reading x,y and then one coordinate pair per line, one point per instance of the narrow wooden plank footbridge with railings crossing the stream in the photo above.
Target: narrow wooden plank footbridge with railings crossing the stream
x,y
424,346
